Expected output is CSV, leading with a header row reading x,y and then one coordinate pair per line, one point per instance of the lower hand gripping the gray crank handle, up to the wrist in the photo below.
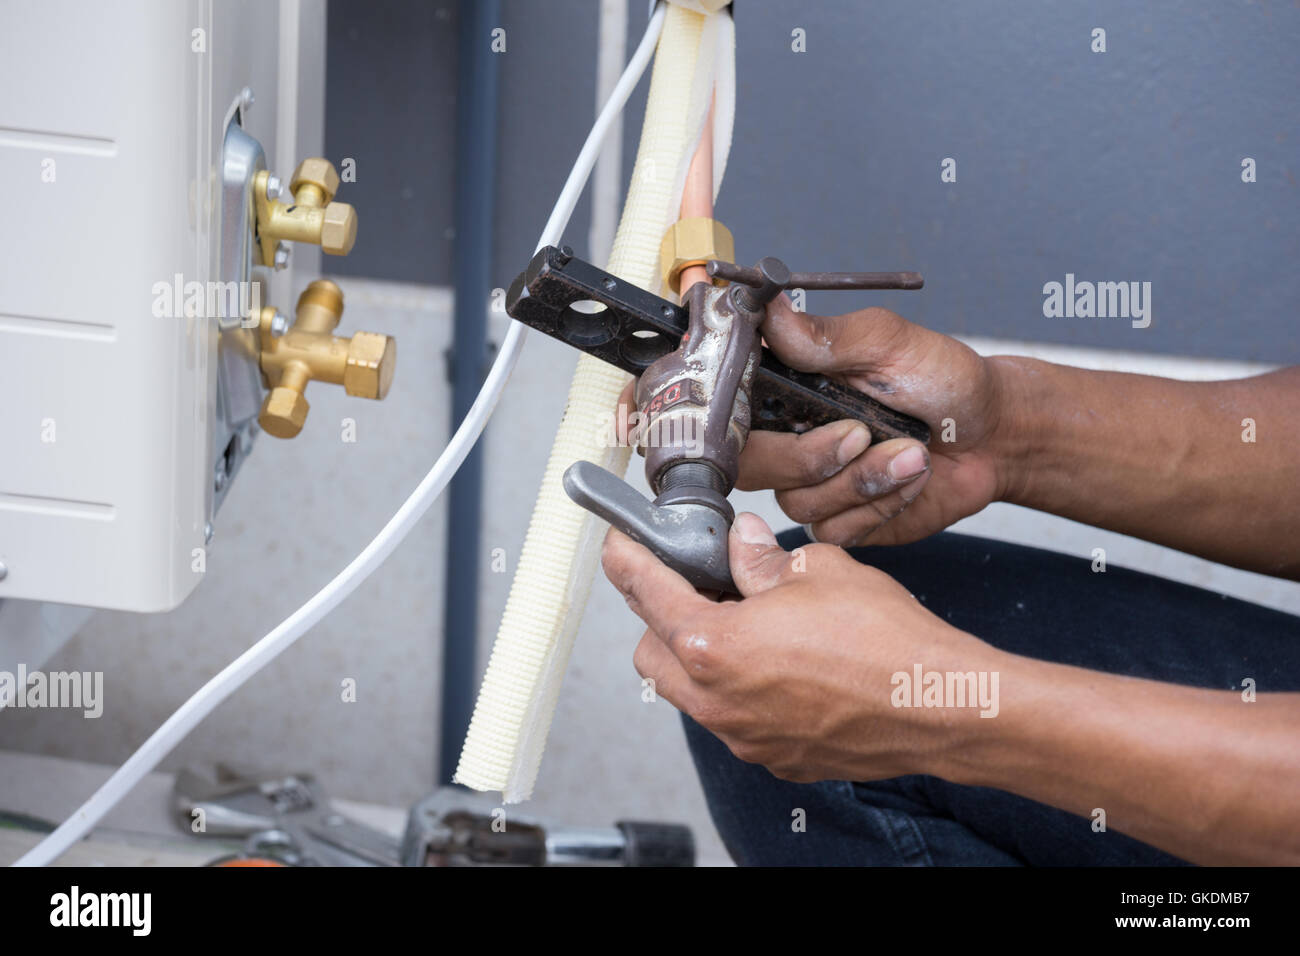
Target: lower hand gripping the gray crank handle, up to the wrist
x,y
799,676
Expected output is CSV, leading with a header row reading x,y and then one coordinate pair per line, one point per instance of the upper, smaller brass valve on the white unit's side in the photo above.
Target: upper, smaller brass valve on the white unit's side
x,y
314,217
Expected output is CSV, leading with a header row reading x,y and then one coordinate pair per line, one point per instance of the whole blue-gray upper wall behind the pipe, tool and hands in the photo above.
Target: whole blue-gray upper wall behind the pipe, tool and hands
x,y
1119,166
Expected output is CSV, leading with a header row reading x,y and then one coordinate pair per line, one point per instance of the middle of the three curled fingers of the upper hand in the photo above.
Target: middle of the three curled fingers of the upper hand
x,y
886,477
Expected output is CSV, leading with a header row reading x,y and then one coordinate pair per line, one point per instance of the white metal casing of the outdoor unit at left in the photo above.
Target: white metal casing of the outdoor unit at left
x,y
109,512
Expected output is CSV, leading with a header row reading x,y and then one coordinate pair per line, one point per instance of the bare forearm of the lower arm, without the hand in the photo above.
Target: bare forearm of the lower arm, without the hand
x,y
1201,775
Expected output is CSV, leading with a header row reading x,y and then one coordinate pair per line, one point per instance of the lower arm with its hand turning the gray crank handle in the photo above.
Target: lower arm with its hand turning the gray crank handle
x,y
800,677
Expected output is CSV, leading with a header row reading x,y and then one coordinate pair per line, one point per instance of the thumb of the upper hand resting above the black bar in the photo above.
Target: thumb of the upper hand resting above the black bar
x,y
856,341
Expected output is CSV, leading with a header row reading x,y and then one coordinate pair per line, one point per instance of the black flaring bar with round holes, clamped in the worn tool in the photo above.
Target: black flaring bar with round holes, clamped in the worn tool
x,y
635,328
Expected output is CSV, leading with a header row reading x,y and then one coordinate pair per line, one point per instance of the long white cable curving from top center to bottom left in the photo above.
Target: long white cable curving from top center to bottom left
x,y
236,674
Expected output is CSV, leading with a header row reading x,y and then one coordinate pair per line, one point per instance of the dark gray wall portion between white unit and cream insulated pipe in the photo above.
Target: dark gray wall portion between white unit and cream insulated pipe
x,y
392,103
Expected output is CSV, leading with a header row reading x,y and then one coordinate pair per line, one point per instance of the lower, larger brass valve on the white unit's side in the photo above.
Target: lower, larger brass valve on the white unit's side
x,y
363,365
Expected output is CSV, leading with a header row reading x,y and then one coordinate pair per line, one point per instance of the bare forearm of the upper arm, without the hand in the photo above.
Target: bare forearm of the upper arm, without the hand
x,y
1156,458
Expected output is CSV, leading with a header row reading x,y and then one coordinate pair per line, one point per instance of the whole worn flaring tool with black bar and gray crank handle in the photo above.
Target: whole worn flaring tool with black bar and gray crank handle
x,y
707,380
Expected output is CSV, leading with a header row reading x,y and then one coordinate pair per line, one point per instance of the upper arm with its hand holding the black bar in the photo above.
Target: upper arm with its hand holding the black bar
x,y
1158,458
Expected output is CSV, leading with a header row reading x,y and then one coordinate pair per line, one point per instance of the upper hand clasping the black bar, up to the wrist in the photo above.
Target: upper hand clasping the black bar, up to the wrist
x,y
898,491
